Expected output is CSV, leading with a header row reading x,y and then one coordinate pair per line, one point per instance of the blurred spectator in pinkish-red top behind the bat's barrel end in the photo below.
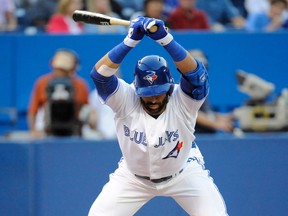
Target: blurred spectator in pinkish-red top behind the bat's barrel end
x,y
61,21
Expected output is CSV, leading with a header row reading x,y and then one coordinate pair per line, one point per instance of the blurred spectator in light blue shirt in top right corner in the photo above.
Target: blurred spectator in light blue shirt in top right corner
x,y
268,21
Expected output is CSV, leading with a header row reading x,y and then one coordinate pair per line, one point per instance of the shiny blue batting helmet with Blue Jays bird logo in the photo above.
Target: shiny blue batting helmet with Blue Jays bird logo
x,y
152,76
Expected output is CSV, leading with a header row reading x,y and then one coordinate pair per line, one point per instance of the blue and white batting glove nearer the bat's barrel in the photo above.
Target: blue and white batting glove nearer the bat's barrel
x,y
135,32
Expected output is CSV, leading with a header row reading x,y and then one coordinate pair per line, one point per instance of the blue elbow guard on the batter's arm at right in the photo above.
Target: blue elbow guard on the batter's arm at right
x,y
196,83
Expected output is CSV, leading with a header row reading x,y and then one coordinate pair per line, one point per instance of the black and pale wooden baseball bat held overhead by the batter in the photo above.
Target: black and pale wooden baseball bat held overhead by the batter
x,y
101,19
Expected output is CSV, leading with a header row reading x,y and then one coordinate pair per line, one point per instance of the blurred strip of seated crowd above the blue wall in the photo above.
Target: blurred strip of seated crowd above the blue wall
x,y
55,16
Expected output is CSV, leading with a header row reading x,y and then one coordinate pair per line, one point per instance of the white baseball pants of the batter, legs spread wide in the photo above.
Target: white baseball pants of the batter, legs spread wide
x,y
193,189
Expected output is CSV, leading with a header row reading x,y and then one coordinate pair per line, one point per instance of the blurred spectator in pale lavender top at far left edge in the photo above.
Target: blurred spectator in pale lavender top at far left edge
x,y
8,19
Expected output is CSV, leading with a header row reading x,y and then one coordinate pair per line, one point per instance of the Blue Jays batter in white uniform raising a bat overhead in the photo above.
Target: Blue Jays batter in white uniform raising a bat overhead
x,y
155,121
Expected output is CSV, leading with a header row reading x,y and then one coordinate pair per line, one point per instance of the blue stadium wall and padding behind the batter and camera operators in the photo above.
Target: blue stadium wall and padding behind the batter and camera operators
x,y
63,176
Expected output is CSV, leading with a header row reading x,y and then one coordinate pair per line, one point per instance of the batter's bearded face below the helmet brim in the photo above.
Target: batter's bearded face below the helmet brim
x,y
154,105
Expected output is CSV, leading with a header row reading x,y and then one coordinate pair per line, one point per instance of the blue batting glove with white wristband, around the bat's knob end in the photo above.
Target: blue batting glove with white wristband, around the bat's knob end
x,y
161,36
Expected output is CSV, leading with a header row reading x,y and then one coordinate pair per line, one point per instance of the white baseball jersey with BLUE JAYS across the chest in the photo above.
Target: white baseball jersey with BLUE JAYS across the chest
x,y
155,147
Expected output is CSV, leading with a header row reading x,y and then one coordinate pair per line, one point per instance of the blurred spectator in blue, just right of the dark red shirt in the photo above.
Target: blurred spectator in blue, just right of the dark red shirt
x,y
222,14
